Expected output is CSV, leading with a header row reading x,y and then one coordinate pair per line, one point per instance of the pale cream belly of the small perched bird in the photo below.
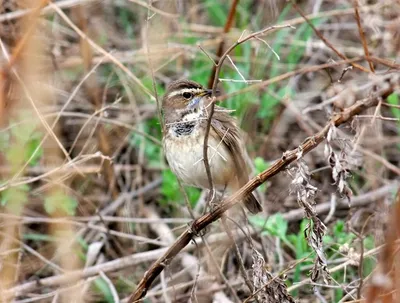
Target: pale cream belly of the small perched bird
x,y
185,158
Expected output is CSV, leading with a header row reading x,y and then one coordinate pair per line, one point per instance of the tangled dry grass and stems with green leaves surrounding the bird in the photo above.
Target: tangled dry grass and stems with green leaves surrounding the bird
x,y
88,203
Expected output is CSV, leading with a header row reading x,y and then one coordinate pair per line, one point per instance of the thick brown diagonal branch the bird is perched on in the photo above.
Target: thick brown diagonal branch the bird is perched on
x,y
279,165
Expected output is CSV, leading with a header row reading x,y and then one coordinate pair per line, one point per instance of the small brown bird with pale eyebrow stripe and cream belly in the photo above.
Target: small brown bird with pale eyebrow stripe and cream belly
x,y
185,109
